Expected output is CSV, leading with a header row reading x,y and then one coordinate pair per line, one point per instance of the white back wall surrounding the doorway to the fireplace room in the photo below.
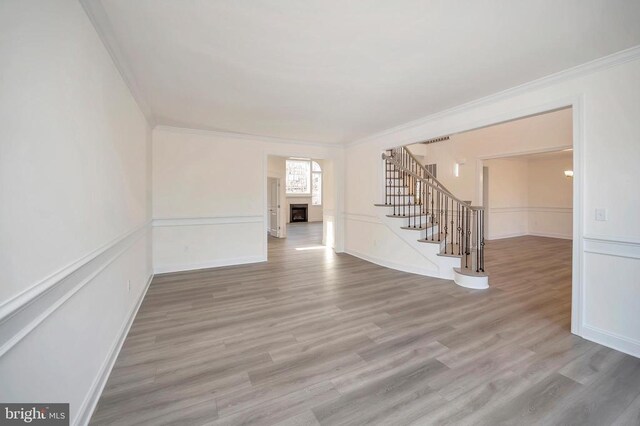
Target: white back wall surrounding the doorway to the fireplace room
x,y
209,196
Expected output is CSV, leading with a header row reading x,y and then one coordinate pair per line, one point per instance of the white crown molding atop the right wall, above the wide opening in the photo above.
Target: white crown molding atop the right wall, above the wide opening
x,y
590,67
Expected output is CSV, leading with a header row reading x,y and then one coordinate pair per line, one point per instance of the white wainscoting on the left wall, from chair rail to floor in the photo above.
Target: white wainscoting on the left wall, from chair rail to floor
x,y
67,334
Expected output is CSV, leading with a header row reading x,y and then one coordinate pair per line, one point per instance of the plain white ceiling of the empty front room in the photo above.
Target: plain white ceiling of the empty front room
x,y
334,70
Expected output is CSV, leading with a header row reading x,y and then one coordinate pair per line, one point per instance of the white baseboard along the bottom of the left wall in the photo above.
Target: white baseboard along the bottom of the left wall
x,y
89,404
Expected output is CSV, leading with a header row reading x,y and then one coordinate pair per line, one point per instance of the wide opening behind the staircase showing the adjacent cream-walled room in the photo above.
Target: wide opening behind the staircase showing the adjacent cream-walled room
x,y
521,172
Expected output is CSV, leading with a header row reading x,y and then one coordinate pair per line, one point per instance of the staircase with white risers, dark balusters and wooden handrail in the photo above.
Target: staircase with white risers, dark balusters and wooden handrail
x,y
445,230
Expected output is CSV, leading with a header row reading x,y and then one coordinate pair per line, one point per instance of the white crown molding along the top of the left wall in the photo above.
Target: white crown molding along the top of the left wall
x,y
101,24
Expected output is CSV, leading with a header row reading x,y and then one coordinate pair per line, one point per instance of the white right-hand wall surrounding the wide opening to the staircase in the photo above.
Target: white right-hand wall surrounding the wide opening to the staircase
x,y
607,99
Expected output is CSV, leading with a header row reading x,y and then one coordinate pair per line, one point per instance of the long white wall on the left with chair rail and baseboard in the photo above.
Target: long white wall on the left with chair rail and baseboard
x,y
74,206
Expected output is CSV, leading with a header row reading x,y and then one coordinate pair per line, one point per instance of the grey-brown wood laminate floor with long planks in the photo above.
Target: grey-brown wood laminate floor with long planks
x,y
311,337
